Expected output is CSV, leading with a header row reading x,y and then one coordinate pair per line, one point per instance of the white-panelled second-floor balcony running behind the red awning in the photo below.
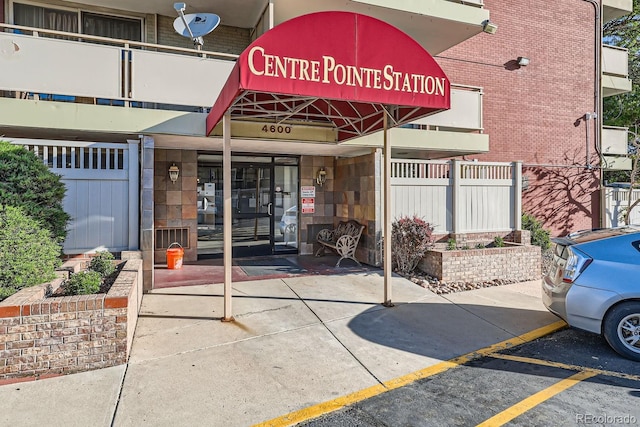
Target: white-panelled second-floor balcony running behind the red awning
x,y
81,87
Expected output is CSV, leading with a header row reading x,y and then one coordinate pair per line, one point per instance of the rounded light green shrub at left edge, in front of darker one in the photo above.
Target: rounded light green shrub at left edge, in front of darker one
x,y
28,254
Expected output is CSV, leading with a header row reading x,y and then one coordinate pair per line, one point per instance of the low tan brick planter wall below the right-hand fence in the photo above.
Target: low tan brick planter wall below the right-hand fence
x,y
516,263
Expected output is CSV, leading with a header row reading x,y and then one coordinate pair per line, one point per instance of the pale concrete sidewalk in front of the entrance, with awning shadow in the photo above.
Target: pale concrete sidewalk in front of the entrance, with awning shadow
x,y
296,342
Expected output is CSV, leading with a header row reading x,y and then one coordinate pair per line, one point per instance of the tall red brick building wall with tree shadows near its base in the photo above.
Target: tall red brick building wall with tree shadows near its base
x,y
534,113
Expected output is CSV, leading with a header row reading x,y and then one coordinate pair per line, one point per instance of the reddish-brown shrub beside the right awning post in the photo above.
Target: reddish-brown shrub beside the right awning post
x,y
411,238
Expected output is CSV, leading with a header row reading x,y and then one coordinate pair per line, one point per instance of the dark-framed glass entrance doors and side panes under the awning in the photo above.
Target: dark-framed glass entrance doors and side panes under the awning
x,y
264,195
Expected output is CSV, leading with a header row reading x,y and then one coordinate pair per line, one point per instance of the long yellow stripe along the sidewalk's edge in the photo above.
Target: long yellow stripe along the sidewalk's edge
x,y
335,404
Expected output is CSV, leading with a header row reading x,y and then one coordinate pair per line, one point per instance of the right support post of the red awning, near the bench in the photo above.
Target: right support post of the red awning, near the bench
x,y
386,247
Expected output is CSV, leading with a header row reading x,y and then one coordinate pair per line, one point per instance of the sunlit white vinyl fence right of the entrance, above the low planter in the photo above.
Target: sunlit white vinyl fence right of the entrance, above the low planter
x,y
458,196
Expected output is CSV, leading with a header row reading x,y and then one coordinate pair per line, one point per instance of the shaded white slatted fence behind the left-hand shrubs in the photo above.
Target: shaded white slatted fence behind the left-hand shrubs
x,y
102,191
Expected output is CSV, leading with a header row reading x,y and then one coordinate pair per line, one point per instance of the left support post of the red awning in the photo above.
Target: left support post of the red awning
x,y
227,219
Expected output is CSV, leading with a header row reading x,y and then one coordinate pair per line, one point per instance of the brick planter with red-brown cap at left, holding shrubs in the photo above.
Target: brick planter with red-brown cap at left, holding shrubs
x,y
61,335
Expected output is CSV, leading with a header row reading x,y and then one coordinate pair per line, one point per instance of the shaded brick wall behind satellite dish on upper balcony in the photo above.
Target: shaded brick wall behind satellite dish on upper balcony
x,y
223,39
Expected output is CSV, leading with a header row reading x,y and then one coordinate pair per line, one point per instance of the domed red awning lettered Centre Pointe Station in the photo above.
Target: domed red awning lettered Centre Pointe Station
x,y
336,69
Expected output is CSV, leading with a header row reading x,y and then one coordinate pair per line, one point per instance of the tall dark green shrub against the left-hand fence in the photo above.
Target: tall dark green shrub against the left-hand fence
x,y
26,182
